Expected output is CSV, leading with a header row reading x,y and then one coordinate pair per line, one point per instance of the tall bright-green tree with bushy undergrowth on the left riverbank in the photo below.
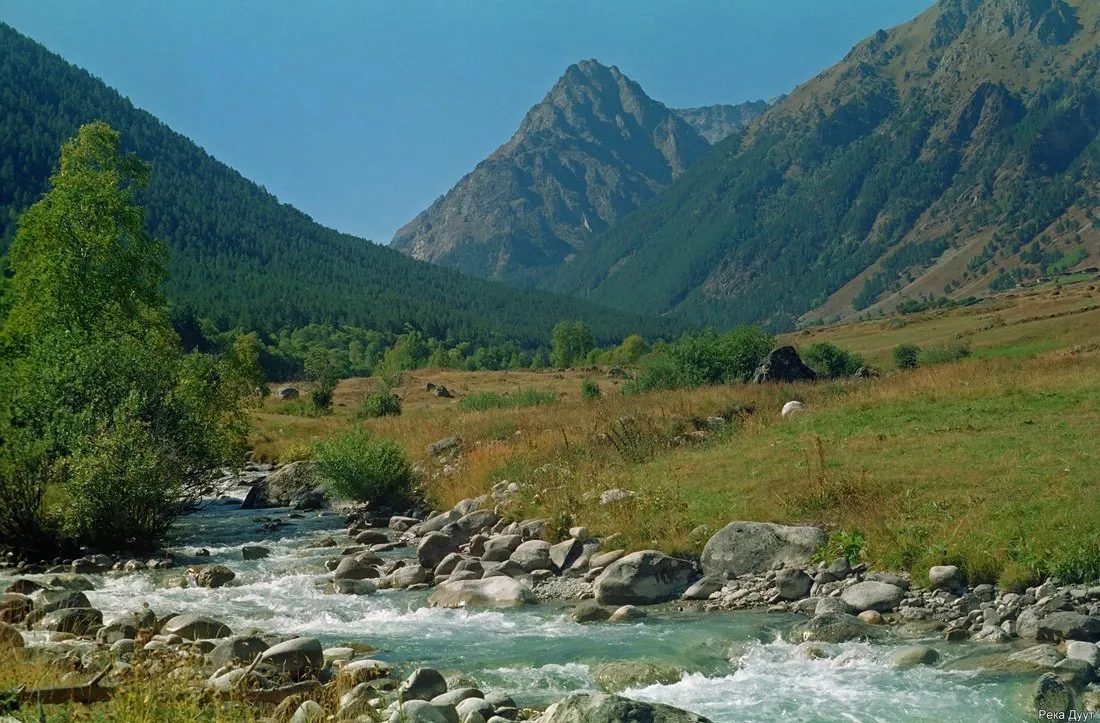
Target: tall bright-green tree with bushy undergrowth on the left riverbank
x,y
98,401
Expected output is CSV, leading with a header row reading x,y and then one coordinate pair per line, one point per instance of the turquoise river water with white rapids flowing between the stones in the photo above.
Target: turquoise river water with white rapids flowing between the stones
x,y
538,654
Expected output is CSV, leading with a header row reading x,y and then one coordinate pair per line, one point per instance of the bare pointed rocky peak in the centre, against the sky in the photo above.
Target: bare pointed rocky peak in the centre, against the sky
x,y
590,154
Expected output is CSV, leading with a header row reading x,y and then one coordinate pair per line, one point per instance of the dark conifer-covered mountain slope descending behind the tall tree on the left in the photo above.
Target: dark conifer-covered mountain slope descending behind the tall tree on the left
x,y
241,258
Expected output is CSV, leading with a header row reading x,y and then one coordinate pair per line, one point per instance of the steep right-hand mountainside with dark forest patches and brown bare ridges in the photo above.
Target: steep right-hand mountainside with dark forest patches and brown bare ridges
x,y
961,148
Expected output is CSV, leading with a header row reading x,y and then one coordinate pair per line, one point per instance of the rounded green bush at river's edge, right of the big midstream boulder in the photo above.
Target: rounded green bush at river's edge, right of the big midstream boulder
x,y
361,467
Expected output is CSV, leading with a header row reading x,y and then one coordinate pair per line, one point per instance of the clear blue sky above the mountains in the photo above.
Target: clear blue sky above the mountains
x,y
361,113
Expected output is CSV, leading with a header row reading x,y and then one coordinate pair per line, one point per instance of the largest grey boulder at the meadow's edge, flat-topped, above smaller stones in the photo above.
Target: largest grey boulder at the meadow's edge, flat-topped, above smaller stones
x,y
752,549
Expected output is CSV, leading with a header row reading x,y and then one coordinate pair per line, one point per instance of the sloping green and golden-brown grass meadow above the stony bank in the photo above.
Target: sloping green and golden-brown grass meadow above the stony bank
x,y
985,463
